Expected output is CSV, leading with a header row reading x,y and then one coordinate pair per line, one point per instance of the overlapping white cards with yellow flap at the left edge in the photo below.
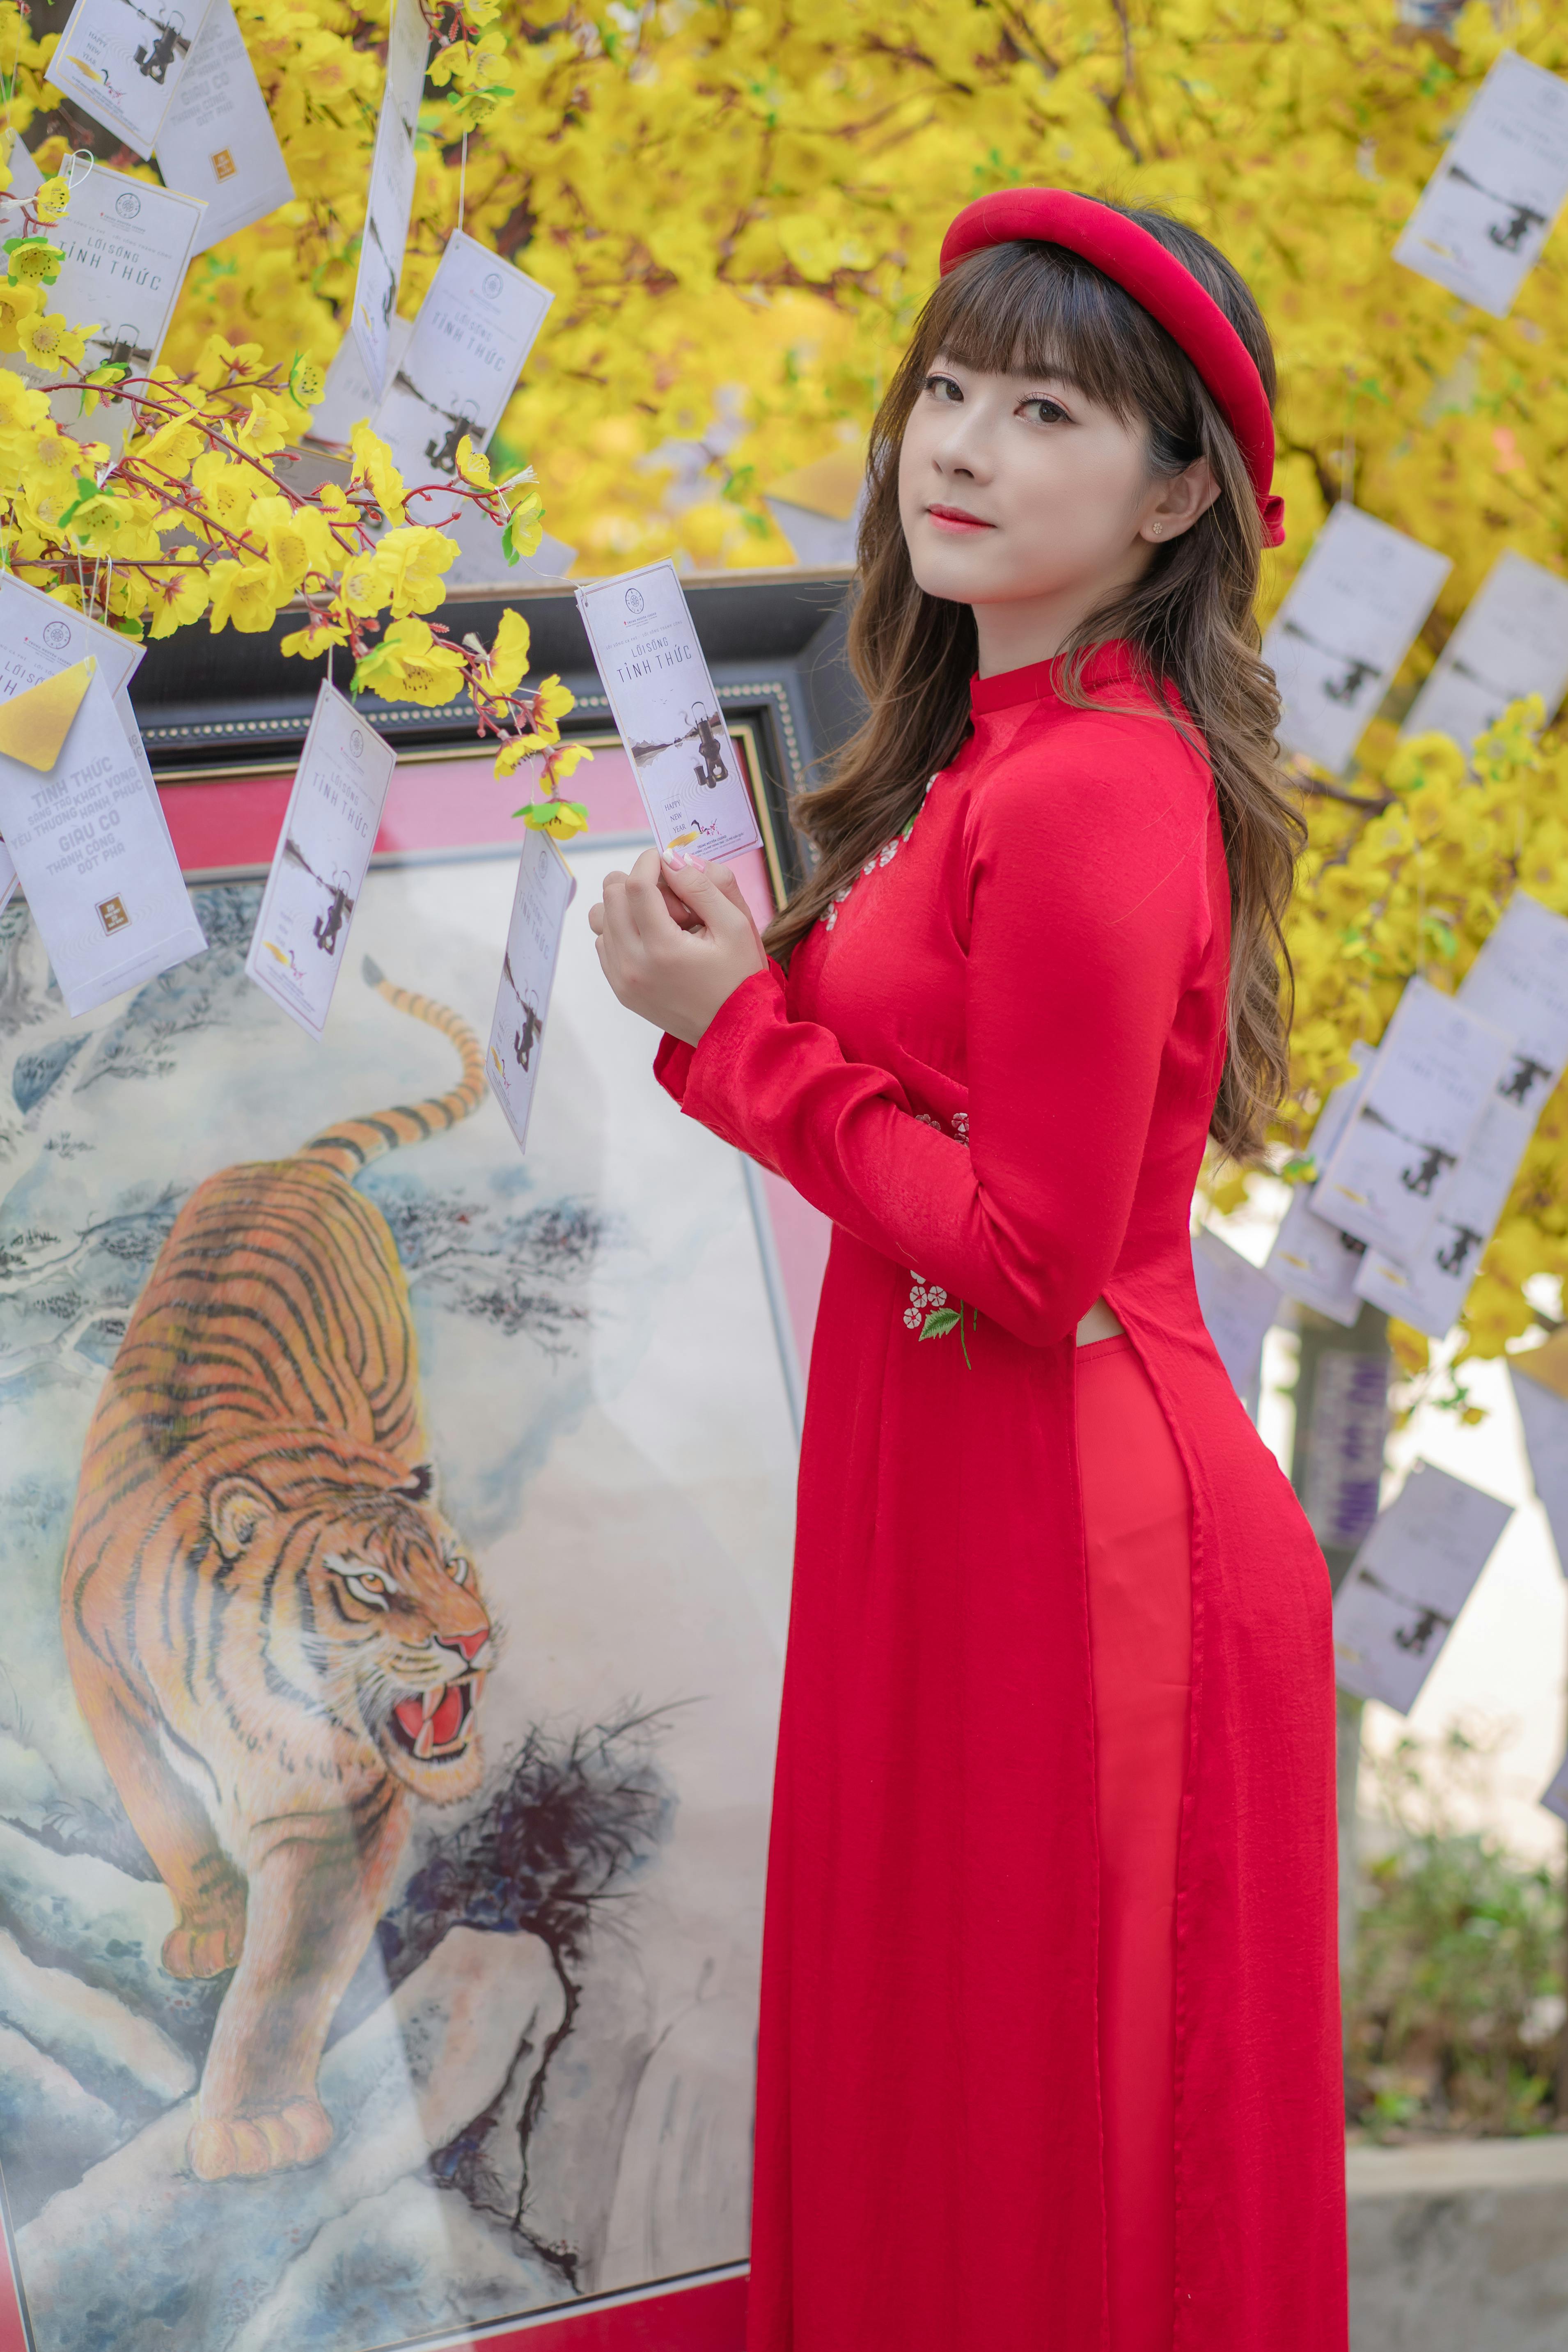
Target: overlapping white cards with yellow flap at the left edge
x,y
79,810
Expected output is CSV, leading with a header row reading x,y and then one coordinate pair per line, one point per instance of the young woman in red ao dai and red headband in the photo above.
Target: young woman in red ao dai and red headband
x,y
1050,2024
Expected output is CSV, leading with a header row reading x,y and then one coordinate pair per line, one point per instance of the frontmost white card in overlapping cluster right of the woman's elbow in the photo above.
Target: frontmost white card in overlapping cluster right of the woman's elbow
x,y
1421,1109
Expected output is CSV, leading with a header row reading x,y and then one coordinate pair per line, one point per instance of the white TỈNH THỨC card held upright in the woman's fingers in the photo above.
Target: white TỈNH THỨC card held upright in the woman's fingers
x,y
666,711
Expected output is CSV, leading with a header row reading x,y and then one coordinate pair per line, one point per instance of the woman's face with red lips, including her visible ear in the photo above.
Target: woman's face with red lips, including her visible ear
x,y
1024,493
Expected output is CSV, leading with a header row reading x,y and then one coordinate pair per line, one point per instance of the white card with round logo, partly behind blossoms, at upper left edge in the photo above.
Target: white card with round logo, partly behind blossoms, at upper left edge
x,y
126,248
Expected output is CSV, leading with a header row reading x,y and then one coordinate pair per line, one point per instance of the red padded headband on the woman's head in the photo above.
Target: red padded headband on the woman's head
x,y
1155,279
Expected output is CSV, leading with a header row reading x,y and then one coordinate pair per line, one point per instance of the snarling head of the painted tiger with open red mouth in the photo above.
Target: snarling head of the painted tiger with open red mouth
x,y
370,1612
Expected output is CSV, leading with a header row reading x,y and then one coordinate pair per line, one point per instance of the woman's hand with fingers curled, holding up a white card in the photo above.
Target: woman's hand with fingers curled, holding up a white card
x,y
676,942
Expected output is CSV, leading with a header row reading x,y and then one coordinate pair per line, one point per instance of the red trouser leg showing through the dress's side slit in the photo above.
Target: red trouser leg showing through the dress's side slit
x,y
1139,1539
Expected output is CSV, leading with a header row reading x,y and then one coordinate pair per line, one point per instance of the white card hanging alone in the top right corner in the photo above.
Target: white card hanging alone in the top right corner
x,y
1489,208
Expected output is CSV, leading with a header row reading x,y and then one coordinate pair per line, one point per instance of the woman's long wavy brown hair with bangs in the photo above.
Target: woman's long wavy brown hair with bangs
x,y
1188,620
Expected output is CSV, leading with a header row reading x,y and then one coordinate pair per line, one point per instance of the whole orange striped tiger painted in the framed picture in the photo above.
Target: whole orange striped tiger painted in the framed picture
x,y
274,1633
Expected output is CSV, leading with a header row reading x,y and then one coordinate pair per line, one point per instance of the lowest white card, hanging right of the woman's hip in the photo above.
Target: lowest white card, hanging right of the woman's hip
x,y
1409,1582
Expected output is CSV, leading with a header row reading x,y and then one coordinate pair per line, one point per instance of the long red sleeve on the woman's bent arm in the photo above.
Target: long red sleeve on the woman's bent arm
x,y
1083,914
